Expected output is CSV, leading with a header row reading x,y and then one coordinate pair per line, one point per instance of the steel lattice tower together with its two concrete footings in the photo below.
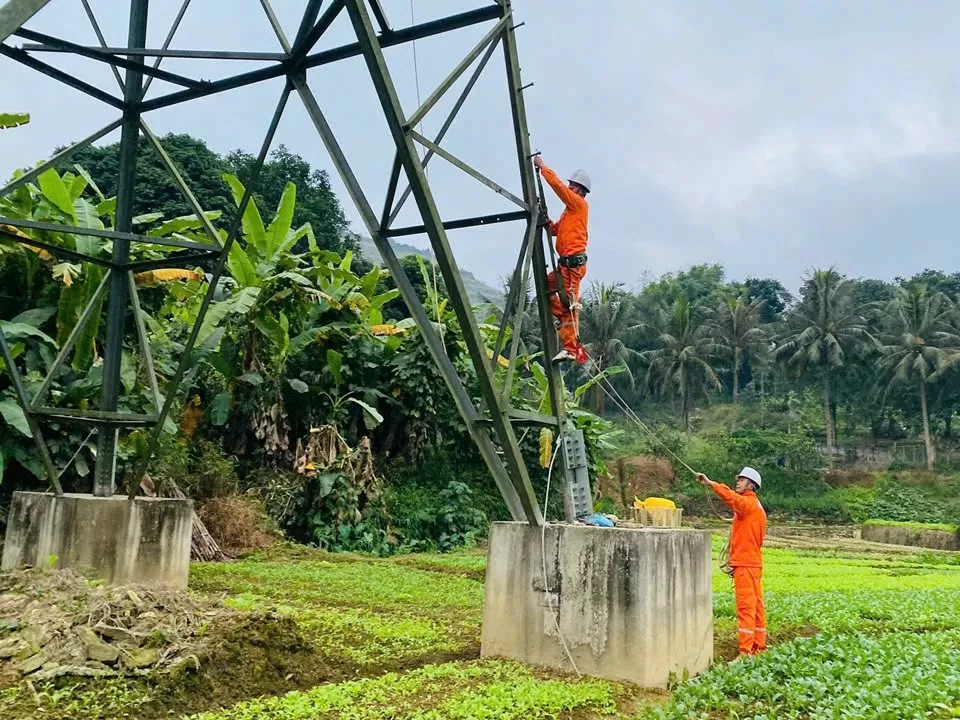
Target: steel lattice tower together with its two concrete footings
x,y
148,539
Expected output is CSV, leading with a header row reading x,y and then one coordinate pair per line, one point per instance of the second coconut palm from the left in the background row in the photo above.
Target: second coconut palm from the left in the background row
x,y
681,365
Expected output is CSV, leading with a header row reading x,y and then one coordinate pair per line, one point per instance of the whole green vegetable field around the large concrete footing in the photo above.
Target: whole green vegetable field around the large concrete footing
x,y
863,635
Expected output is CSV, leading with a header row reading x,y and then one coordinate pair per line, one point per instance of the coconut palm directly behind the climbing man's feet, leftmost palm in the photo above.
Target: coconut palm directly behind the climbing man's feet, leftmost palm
x,y
604,323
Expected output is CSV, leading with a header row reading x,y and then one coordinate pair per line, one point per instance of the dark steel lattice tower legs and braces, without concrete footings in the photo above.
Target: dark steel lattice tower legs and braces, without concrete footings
x,y
492,422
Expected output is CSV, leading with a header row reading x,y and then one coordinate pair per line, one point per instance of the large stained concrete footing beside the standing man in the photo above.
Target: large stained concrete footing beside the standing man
x,y
633,605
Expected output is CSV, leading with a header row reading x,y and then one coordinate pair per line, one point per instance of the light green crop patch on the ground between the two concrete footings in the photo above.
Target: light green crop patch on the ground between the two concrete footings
x,y
369,613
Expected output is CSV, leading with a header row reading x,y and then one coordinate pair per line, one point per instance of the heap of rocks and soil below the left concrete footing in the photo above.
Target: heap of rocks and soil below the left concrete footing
x,y
56,623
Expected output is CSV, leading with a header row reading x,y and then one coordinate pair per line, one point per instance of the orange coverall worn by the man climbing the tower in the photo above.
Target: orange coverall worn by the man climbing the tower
x,y
571,234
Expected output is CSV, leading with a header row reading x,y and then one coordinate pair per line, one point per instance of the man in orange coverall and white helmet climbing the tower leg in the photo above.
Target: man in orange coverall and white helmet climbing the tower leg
x,y
571,234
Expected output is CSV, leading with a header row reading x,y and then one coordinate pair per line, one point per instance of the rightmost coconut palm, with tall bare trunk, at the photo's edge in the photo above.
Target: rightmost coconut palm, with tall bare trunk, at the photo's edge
x,y
919,345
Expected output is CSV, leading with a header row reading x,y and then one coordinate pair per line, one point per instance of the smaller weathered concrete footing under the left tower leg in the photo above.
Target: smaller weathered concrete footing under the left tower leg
x,y
146,541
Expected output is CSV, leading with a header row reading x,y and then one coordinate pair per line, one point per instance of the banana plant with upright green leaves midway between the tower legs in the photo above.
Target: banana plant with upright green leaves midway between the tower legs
x,y
279,303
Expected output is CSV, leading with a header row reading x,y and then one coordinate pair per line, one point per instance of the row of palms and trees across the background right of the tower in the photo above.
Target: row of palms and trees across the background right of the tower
x,y
883,355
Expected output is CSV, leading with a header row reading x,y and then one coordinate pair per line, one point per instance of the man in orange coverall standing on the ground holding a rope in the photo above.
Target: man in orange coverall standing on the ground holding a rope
x,y
746,559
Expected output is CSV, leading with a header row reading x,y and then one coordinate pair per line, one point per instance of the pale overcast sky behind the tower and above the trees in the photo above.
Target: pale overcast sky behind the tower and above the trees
x,y
770,137
